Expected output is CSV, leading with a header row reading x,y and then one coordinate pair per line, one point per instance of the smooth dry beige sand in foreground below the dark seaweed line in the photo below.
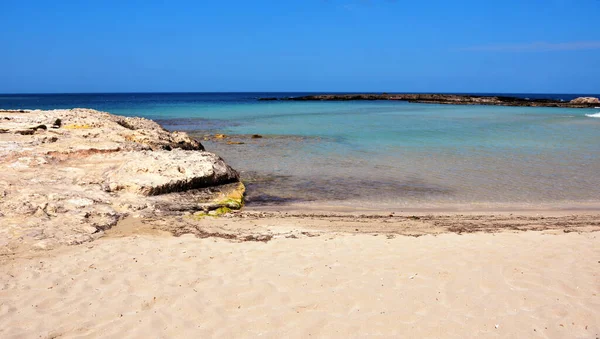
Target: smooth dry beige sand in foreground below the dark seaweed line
x,y
535,284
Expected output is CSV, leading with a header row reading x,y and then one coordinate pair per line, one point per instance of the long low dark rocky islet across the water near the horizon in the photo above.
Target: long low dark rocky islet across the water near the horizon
x,y
450,99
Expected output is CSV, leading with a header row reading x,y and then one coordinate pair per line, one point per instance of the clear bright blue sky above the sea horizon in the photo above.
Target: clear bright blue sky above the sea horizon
x,y
300,45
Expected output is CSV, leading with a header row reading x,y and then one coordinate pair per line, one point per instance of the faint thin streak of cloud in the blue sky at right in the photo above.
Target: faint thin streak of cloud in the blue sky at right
x,y
536,47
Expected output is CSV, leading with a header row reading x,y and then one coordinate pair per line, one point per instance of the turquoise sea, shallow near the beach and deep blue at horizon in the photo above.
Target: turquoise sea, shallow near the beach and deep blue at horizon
x,y
377,154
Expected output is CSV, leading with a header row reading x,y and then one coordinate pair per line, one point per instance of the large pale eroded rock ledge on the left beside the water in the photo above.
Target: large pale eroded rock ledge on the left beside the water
x,y
68,175
